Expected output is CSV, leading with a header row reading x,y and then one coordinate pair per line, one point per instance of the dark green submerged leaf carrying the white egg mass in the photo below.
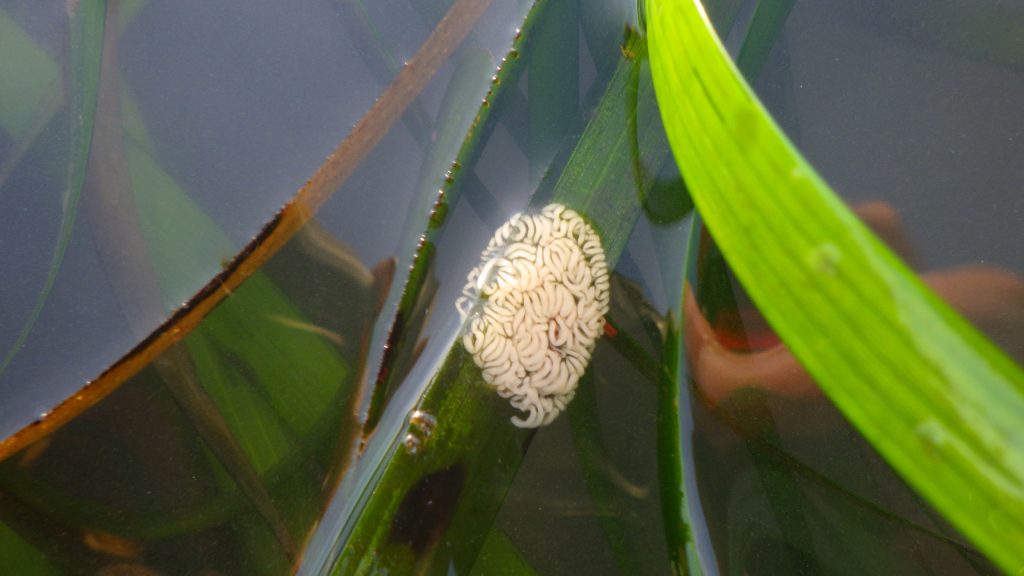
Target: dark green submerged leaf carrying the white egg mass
x,y
474,444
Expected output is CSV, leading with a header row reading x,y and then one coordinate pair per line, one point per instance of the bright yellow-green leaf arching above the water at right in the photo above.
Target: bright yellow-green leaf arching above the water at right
x,y
934,396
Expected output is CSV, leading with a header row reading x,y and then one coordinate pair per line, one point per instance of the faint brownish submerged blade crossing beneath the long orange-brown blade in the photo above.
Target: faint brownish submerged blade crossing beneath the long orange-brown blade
x,y
122,248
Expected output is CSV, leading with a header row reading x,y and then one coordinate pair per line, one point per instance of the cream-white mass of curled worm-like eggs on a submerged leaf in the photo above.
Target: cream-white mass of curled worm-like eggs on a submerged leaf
x,y
536,308
